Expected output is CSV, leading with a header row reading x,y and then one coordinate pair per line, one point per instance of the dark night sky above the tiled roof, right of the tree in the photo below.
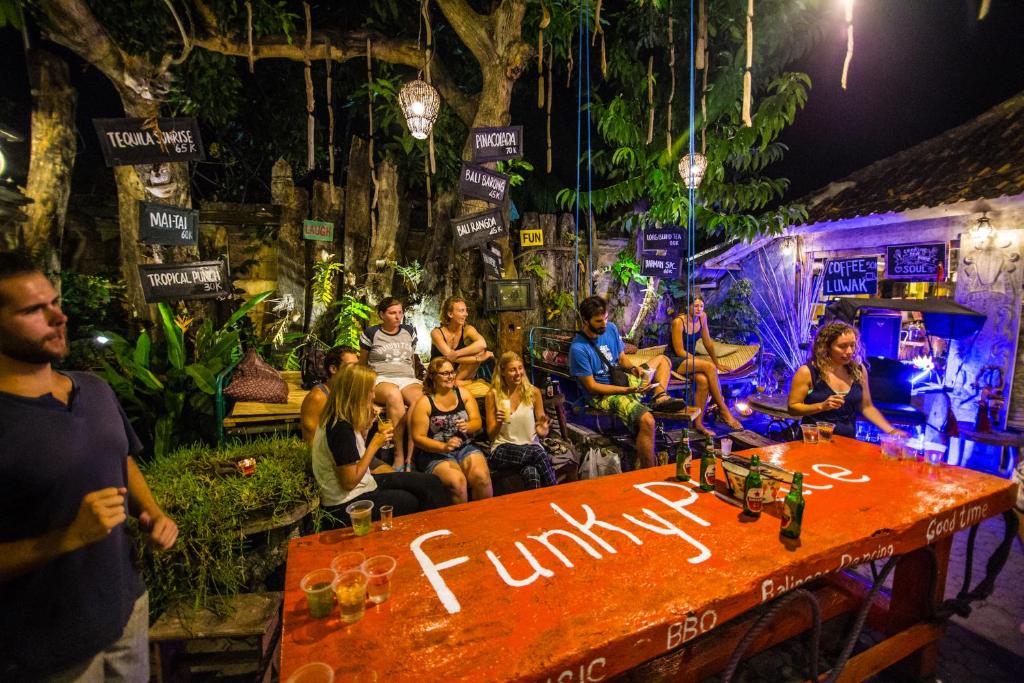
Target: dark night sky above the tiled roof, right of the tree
x,y
920,68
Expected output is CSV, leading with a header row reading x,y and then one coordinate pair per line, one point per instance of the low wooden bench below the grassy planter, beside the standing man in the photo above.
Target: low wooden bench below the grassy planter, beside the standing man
x,y
245,639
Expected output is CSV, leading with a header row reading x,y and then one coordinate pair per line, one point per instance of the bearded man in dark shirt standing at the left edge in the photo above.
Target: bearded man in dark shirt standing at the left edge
x,y
73,607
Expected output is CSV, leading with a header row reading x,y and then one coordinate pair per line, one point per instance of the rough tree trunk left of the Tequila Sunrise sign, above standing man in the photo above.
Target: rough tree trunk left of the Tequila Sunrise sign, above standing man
x,y
53,157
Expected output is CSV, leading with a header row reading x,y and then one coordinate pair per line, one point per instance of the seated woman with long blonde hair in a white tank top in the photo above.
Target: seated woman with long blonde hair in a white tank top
x,y
517,423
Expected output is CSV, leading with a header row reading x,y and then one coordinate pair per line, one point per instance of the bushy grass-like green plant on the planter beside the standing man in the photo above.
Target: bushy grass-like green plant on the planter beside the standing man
x,y
212,503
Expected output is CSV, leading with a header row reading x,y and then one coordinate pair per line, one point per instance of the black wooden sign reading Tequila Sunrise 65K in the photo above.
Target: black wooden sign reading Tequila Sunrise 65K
x,y
131,142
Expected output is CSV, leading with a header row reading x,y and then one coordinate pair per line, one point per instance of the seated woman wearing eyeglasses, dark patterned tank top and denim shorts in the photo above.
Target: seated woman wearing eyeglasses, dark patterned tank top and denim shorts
x,y
444,423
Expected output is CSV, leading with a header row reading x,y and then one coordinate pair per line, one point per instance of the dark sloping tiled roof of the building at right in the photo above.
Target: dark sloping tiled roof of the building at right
x,y
983,159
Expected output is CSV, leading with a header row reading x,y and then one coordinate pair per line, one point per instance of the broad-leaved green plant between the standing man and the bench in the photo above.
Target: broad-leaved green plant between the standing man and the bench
x,y
167,387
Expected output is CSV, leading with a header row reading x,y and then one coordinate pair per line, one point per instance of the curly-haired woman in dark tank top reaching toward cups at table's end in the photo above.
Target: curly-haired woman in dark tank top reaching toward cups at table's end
x,y
833,387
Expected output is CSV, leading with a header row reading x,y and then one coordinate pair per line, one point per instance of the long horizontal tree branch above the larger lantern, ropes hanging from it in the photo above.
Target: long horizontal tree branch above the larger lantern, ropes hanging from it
x,y
343,49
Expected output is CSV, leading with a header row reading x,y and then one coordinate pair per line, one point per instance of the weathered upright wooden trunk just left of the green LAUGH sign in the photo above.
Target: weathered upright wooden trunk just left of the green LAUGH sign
x,y
292,280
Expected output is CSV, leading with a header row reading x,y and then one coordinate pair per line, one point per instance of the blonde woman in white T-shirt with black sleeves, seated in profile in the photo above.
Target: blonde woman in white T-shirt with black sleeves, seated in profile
x,y
342,458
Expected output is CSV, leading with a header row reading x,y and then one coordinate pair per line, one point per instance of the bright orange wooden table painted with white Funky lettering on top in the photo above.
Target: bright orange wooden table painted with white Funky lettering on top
x,y
586,581
